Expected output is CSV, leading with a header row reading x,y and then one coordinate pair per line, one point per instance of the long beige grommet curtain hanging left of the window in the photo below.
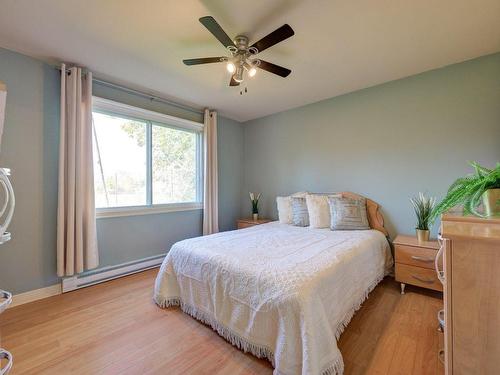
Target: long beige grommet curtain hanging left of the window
x,y
76,227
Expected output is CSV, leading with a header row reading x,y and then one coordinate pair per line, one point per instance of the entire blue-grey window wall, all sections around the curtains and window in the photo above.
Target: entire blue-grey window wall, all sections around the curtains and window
x,y
30,149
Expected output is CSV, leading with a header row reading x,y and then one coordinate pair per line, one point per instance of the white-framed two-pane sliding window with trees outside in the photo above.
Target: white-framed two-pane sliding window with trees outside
x,y
144,161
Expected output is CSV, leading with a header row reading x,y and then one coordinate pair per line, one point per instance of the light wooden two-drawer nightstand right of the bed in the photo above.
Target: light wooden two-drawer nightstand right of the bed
x,y
415,263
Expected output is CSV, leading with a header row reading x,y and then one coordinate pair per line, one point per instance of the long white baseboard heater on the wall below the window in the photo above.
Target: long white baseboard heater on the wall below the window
x,y
109,273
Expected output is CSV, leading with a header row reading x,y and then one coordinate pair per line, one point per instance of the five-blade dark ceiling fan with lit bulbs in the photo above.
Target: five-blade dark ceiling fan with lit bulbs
x,y
241,57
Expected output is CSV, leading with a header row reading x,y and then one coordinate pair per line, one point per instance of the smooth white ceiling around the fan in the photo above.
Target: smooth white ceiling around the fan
x,y
338,47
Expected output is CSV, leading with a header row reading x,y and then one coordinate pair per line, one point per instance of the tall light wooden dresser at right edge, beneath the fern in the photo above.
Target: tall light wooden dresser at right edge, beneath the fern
x,y
471,271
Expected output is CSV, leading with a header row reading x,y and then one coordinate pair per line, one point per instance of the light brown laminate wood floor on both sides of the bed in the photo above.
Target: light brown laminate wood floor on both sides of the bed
x,y
115,328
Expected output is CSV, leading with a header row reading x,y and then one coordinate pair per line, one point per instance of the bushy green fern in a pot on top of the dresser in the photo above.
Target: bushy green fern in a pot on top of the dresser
x,y
483,184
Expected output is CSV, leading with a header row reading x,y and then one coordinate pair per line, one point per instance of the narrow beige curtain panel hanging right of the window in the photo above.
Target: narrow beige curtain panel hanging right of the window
x,y
210,187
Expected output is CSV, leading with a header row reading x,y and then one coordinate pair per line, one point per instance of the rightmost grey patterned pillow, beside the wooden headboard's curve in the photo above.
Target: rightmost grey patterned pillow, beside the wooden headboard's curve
x,y
348,214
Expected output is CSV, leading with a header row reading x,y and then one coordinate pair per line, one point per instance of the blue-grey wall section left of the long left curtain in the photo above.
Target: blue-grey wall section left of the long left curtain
x,y
30,147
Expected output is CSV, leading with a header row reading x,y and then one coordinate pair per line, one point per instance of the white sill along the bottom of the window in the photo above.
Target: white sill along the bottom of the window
x,y
102,213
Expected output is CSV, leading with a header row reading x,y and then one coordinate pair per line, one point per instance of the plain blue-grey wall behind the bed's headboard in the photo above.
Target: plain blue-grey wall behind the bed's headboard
x,y
386,142
